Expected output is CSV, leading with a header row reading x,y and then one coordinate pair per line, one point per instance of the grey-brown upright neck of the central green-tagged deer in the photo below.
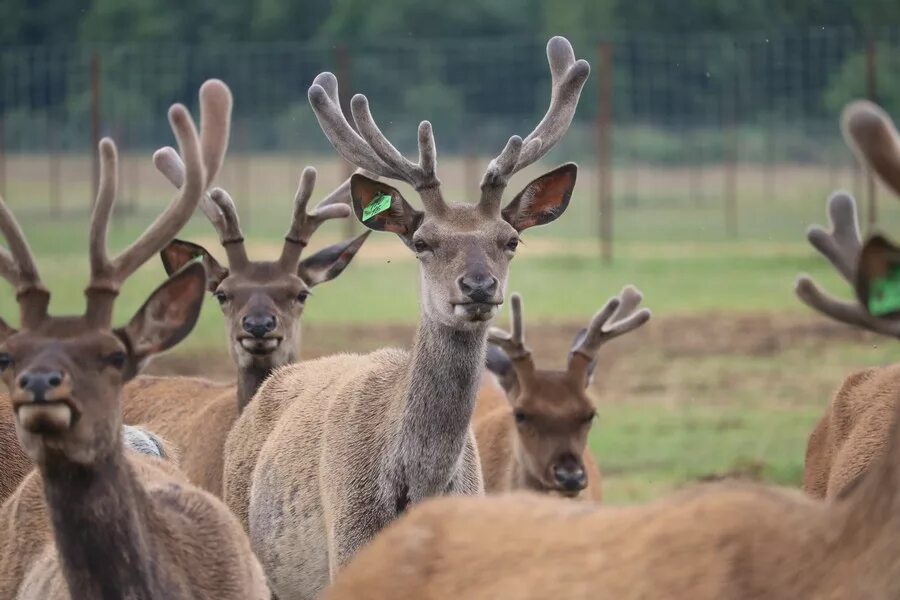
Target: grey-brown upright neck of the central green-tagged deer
x,y
436,407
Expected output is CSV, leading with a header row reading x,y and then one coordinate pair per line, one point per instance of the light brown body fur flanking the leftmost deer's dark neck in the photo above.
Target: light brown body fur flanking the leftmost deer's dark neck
x,y
188,524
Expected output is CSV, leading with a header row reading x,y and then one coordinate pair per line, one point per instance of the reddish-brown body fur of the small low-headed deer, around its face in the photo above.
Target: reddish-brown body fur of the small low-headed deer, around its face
x,y
498,446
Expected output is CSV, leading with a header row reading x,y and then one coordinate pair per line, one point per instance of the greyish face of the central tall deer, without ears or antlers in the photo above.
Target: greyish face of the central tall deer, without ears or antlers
x,y
463,263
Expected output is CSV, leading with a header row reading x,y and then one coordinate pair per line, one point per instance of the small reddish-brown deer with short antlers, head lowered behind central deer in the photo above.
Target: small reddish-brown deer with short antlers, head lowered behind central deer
x,y
537,438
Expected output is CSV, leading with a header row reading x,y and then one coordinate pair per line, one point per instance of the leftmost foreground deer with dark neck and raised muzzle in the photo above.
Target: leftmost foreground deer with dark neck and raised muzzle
x,y
92,521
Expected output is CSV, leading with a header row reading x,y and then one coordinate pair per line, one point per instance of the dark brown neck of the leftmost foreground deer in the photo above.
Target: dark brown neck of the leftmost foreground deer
x,y
99,514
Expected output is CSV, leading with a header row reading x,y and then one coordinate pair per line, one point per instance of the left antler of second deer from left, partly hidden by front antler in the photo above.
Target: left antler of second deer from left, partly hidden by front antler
x,y
217,206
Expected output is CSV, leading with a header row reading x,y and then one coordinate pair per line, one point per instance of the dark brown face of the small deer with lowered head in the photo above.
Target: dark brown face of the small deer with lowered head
x,y
553,416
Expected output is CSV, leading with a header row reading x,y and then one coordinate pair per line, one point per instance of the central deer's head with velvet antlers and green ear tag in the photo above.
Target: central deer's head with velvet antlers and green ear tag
x,y
464,250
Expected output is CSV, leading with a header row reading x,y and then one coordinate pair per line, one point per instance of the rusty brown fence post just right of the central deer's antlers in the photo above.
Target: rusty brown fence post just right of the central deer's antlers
x,y
604,148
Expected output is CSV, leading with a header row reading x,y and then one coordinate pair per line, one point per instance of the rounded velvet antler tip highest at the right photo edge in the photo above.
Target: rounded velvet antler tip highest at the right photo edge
x,y
872,135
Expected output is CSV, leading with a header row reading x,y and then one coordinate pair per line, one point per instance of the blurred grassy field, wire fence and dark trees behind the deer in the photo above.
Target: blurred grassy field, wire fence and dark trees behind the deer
x,y
707,140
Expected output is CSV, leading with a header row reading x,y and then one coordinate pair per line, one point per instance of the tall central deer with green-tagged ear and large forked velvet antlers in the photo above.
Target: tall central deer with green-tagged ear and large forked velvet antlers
x,y
330,451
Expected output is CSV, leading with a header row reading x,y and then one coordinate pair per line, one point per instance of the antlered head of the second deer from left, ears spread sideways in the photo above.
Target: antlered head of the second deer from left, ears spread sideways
x,y
263,300
